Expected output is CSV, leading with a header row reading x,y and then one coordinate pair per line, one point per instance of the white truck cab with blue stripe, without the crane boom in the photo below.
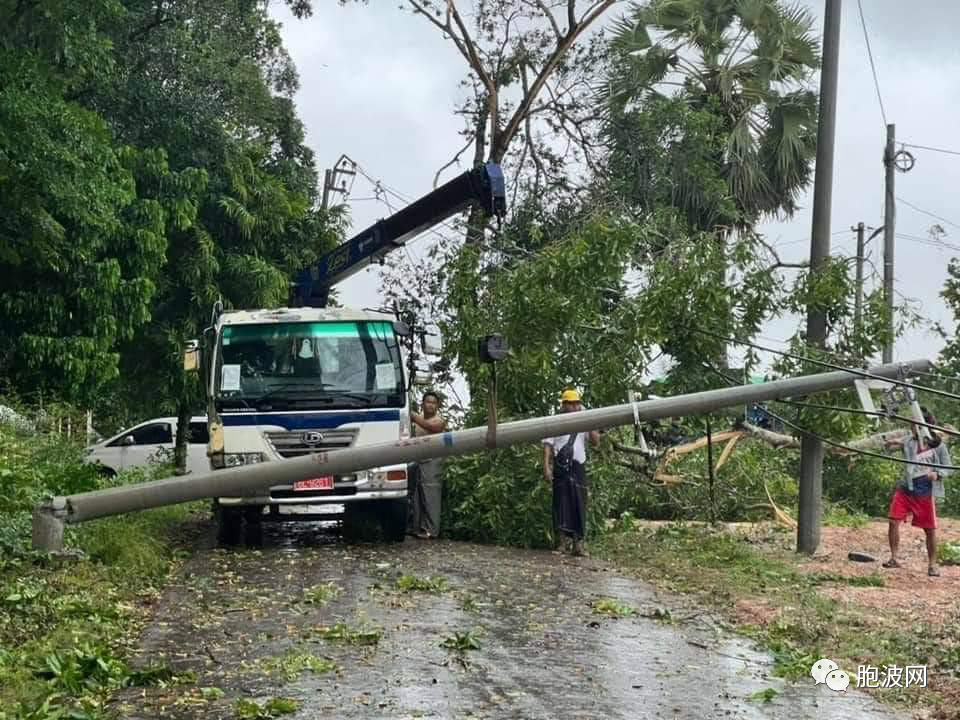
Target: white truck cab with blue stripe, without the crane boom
x,y
297,381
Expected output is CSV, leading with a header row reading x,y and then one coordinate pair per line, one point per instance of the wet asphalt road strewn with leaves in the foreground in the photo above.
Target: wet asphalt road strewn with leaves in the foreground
x,y
544,650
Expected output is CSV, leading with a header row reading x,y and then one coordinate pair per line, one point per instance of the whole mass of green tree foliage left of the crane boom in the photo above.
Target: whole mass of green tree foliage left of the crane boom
x,y
151,162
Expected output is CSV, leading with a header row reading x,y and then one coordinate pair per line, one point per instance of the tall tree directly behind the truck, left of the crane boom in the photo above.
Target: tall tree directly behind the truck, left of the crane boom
x,y
213,86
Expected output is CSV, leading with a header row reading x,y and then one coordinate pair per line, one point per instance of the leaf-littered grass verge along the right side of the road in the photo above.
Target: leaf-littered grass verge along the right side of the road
x,y
802,625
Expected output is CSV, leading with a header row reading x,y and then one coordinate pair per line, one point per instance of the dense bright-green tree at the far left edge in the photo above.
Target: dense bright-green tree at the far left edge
x,y
80,242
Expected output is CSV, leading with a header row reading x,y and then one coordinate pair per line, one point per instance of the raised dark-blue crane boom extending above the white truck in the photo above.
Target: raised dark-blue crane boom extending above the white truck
x,y
484,186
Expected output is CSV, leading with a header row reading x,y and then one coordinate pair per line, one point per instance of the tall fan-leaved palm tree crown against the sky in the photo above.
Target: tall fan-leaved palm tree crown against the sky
x,y
745,66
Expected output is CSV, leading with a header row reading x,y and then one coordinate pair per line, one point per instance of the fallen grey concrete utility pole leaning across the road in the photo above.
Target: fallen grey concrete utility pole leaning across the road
x,y
48,519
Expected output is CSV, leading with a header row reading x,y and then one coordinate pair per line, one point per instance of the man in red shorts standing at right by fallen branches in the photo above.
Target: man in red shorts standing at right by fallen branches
x,y
915,490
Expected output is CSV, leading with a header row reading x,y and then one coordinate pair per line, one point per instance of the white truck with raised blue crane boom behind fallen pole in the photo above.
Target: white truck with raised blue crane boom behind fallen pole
x,y
307,378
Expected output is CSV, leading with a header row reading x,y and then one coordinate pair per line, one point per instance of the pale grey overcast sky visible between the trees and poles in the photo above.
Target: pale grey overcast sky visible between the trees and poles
x,y
380,85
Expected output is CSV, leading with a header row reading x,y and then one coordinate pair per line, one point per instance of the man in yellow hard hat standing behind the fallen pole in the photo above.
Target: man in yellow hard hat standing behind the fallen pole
x,y
564,466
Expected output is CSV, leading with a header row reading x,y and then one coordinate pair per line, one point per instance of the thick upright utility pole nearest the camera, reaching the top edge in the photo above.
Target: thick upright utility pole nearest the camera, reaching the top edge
x,y
811,449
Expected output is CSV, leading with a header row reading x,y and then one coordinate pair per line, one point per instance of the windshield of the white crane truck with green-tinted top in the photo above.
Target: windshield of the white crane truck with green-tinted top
x,y
327,364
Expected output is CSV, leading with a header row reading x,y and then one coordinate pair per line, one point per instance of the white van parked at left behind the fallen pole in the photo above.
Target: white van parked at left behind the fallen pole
x,y
151,441
